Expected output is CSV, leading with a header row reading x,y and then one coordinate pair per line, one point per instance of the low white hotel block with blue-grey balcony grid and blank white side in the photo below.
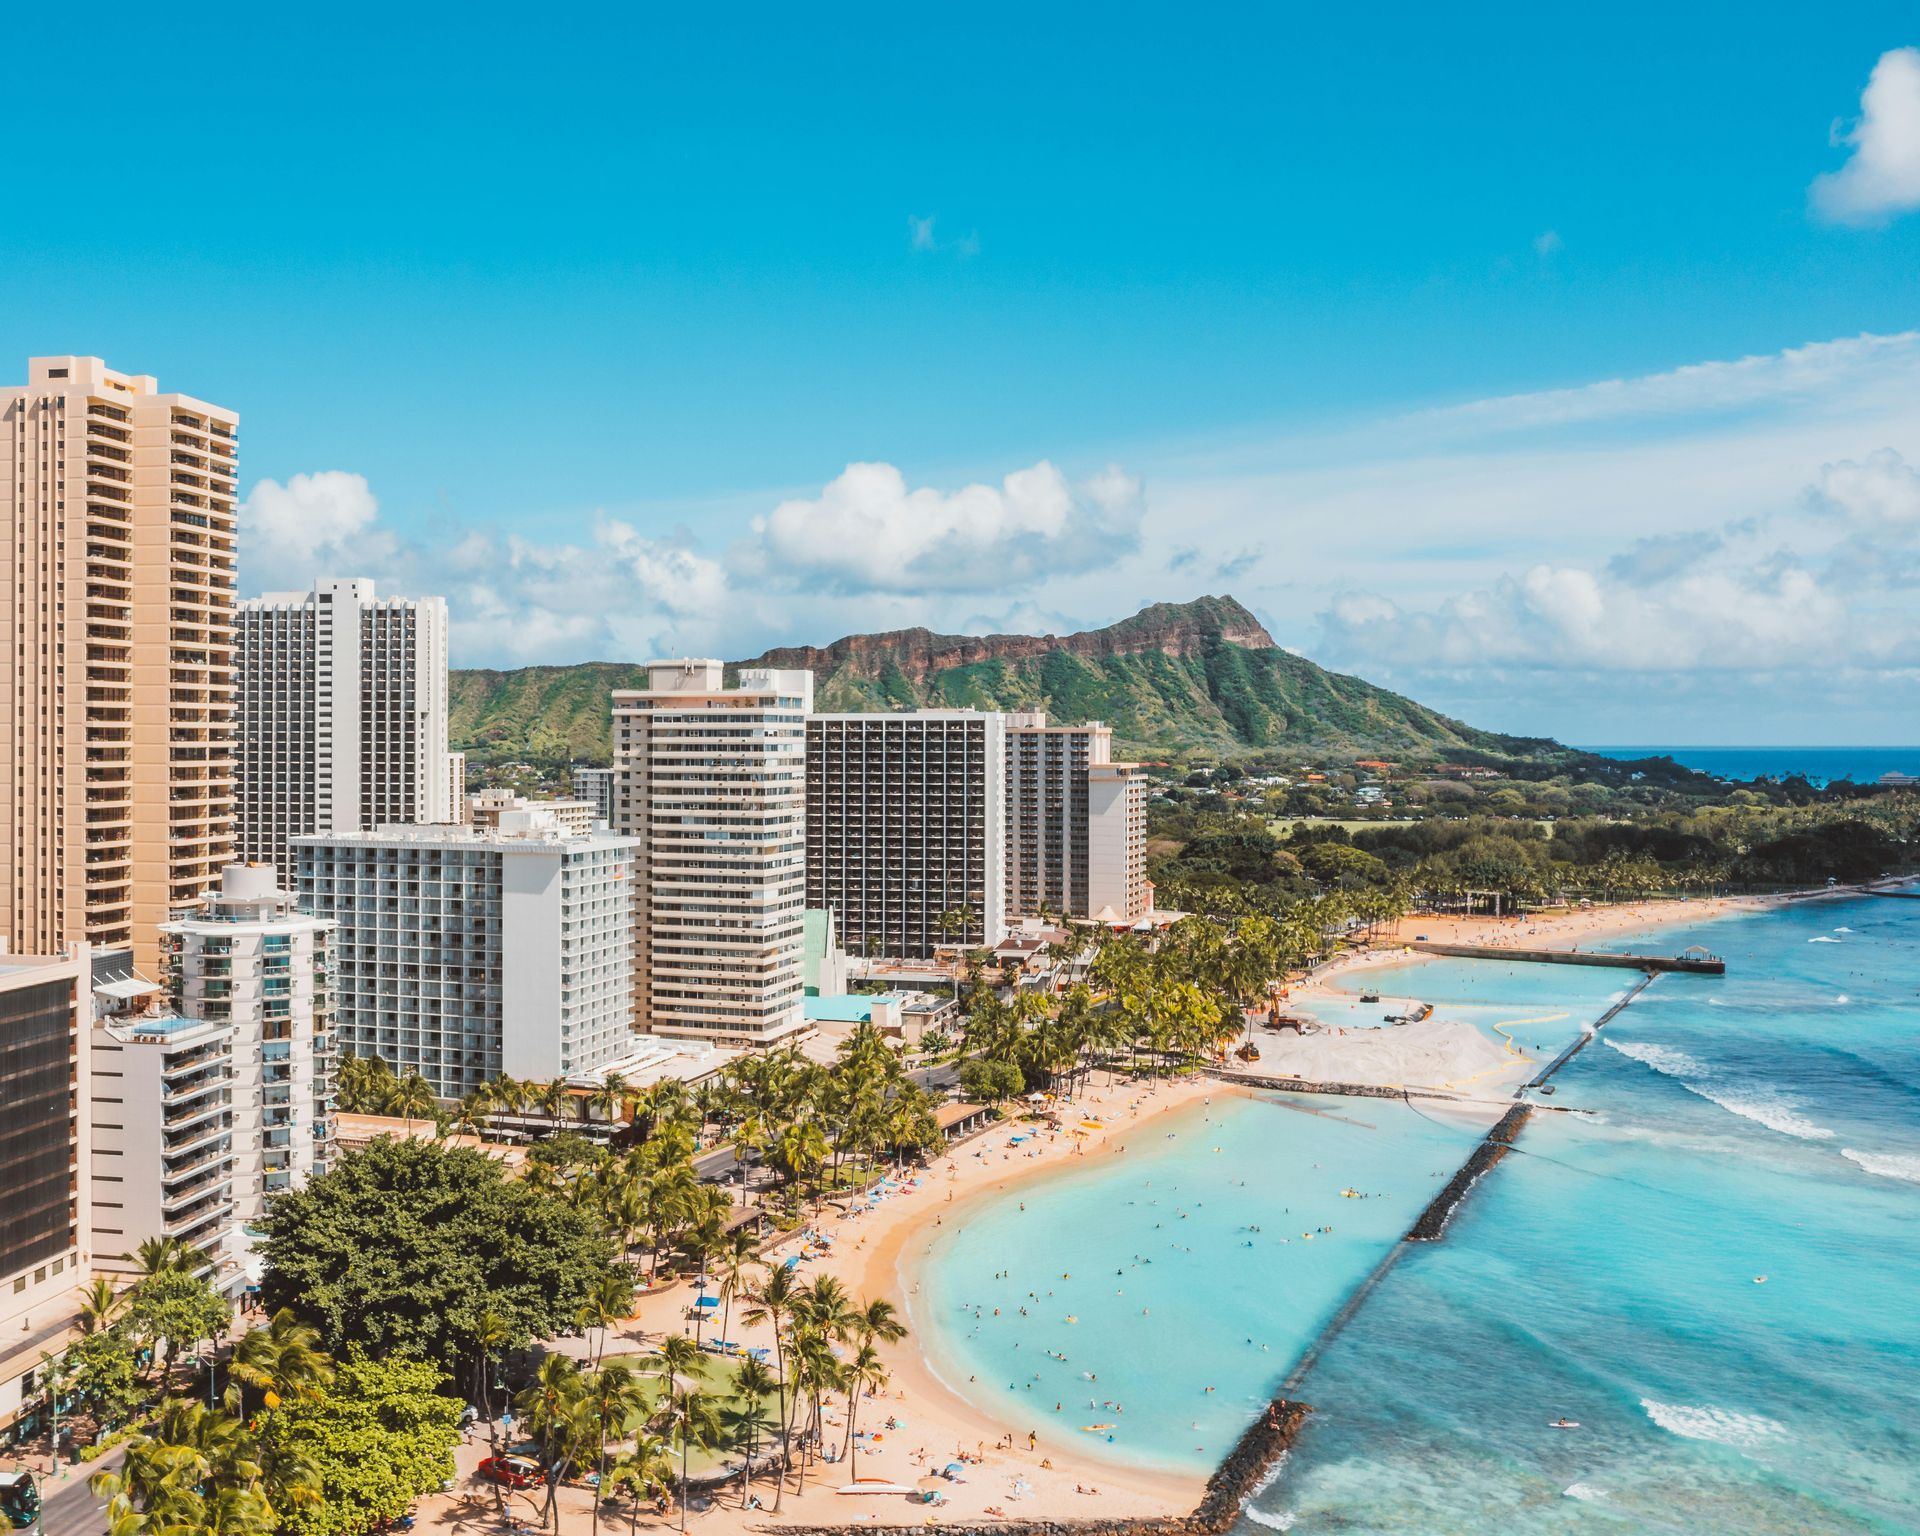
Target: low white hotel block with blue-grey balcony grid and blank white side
x,y
468,953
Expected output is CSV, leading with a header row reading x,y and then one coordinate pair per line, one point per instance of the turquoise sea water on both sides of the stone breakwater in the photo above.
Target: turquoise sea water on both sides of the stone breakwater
x,y
1764,1124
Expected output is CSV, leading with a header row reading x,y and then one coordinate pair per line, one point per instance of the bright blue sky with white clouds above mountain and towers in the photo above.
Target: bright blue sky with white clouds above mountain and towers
x,y
583,320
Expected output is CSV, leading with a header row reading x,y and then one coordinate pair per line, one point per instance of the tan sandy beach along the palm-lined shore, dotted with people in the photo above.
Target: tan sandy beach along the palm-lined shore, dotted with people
x,y
873,1253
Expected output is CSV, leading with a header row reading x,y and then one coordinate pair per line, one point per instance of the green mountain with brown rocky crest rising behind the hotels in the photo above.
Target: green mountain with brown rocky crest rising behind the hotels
x,y
1176,679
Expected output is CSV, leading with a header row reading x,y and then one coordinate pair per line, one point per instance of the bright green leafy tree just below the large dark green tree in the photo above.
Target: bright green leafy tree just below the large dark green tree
x,y
379,1439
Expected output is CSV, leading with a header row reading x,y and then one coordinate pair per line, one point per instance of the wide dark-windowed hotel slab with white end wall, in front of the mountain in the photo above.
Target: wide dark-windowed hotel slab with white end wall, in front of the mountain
x,y
907,828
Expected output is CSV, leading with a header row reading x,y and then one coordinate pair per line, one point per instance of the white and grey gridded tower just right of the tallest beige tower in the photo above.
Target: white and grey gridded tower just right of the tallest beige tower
x,y
343,709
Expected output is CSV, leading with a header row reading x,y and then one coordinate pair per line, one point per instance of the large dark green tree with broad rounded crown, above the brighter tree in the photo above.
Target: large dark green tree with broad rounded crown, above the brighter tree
x,y
404,1247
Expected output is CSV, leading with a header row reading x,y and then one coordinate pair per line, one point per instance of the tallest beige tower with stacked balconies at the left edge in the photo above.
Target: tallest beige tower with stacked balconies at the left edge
x,y
116,692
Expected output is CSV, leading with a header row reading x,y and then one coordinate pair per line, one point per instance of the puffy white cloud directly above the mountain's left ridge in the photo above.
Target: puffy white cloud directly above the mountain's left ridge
x,y
871,533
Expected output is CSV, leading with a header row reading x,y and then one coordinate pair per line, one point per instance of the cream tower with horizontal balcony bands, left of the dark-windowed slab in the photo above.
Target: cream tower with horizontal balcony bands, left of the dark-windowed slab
x,y
711,782
